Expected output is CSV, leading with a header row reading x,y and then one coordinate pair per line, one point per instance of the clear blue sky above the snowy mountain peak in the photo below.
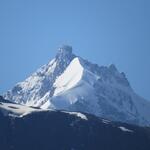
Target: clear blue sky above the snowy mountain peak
x,y
102,31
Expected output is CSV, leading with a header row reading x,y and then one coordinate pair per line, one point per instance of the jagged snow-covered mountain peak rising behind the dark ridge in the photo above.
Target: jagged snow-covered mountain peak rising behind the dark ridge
x,y
71,83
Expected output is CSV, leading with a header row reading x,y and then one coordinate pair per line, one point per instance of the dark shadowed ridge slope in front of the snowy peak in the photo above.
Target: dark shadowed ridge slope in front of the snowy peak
x,y
61,131
